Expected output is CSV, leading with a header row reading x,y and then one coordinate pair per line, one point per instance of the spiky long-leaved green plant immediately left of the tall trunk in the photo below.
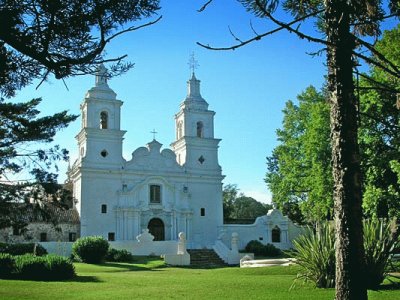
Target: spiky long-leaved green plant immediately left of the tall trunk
x,y
315,254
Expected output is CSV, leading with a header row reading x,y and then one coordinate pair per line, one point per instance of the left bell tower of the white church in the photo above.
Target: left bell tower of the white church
x,y
100,138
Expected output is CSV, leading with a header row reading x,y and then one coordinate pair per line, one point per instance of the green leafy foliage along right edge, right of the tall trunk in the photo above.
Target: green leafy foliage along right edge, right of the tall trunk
x,y
379,133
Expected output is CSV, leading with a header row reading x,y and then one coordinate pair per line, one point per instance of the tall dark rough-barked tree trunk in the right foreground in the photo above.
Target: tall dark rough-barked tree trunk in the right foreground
x,y
345,154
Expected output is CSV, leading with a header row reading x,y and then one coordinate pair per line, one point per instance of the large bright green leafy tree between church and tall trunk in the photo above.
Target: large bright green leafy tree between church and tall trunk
x,y
299,173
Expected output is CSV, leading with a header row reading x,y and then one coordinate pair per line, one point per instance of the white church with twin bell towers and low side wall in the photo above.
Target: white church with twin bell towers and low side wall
x,y
158,190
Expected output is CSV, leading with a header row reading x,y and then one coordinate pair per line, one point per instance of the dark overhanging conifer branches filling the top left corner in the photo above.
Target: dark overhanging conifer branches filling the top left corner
x,y
62,37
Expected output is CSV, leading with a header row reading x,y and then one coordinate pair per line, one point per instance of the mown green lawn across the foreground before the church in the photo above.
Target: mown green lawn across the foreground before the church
x,y
151,279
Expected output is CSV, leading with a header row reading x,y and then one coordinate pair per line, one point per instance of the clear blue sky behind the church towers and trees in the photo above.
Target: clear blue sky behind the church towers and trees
x,y
247,88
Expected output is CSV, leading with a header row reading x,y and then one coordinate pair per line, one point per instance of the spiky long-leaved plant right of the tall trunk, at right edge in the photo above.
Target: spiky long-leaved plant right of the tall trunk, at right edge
x,y
380,239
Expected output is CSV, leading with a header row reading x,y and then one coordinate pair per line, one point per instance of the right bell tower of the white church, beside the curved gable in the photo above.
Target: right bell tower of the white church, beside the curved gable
x,y
195,146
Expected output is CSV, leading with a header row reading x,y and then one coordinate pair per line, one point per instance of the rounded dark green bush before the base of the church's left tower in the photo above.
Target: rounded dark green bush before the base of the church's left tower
x,y
90,249
